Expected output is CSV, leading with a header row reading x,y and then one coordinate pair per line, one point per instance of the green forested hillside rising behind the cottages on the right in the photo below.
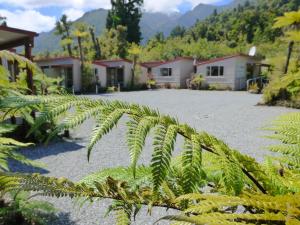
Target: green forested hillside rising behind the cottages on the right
x,y
227,32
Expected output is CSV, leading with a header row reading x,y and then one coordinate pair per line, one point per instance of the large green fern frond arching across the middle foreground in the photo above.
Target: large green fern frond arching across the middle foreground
x,y
107,114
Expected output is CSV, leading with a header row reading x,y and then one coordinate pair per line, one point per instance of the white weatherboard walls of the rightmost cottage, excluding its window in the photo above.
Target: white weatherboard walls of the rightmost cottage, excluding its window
x,y
235,72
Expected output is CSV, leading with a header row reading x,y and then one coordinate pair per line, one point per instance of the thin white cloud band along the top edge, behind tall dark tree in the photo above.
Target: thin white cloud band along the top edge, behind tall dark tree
x,y
149,5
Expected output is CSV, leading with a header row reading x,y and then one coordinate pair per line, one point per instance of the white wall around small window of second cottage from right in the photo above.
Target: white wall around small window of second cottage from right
x,y
181,70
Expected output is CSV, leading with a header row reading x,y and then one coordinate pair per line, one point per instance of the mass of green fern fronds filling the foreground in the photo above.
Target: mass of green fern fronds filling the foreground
x,y
222,185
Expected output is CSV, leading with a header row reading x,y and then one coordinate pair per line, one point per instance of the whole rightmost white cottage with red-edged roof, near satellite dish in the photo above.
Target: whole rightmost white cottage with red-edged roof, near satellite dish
x,y
230,71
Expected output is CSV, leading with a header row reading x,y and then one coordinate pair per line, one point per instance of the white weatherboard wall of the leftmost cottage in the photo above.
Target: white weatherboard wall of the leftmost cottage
x,y
74,63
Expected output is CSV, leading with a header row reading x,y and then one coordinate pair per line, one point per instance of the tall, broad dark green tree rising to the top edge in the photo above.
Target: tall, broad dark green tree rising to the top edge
x,y
126,13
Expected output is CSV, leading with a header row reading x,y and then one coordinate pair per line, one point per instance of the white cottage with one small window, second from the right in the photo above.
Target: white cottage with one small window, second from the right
x,y
173,73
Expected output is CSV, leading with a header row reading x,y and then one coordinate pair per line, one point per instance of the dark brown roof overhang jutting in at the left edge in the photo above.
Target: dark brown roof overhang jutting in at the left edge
x,y
13,37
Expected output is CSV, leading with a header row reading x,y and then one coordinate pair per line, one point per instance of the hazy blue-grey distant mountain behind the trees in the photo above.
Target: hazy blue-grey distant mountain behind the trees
x,y
151,23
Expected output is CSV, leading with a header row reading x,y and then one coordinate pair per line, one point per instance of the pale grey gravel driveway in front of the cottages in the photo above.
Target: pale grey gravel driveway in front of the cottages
x,y
231,116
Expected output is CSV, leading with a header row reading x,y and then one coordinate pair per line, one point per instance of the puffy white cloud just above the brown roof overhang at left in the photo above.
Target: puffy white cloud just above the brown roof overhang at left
x,y
28,20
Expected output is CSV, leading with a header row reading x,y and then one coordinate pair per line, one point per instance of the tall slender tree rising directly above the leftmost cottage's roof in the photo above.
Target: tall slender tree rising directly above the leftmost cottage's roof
x,y
63,28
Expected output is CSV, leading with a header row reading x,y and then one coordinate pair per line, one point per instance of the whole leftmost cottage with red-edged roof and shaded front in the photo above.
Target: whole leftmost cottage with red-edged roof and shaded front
x,y
66,67
